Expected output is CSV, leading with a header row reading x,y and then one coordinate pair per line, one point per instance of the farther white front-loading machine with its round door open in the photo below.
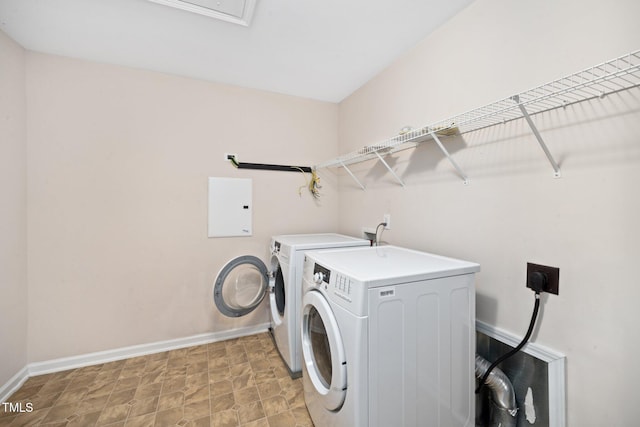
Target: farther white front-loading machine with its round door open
x,y
243,283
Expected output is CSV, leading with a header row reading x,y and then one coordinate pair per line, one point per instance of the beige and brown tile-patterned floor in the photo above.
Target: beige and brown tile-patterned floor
x,y
239,382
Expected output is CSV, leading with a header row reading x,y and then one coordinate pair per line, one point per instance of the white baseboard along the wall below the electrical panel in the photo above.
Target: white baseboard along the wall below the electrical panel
x,y
73,362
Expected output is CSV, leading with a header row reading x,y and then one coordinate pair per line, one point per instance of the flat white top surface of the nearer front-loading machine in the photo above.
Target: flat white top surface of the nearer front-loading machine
x,y
390,264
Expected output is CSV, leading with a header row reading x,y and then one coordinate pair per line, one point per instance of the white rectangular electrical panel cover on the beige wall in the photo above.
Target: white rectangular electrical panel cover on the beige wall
x,y
230,207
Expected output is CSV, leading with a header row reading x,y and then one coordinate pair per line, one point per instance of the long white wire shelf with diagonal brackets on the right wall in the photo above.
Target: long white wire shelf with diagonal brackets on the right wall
x,y
616,75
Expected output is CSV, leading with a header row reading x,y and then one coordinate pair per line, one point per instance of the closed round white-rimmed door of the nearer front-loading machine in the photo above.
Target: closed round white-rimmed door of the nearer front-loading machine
x,y
323,351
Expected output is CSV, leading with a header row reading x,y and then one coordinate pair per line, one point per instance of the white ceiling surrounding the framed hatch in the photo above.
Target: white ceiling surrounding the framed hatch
x,y
322,50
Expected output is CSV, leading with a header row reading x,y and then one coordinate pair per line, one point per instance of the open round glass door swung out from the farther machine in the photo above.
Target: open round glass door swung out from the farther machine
x,y
241,286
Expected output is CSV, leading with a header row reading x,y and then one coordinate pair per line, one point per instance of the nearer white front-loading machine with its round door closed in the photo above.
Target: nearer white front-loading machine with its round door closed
x,y
388,338
